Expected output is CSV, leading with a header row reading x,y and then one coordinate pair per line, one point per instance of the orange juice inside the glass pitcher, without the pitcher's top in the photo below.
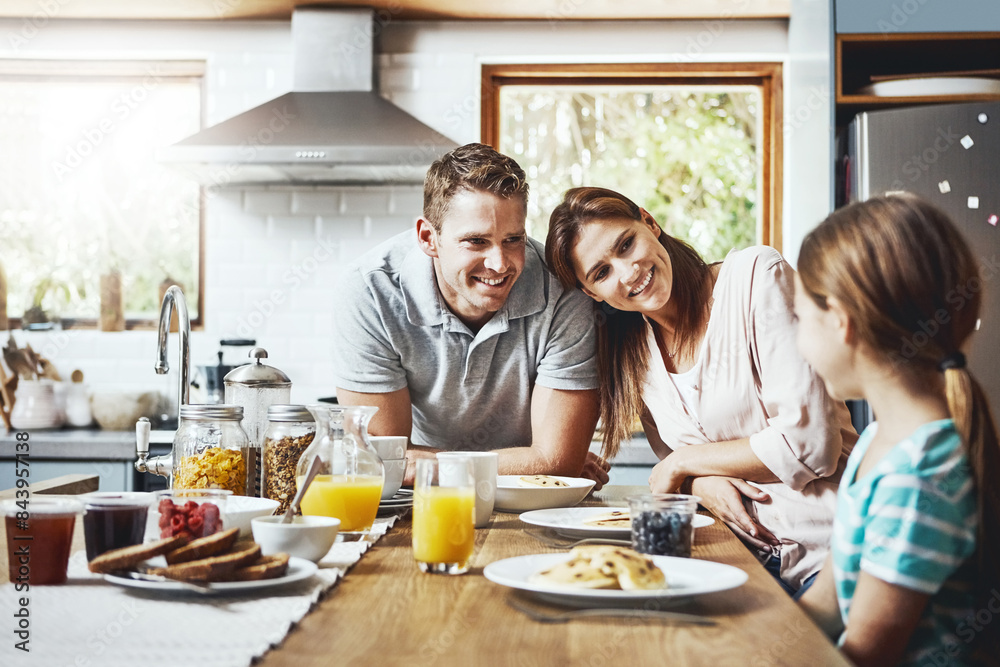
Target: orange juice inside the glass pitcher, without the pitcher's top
x,y
353,499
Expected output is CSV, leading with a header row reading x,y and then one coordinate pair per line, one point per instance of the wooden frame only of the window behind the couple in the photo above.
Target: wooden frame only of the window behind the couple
x,y
766,75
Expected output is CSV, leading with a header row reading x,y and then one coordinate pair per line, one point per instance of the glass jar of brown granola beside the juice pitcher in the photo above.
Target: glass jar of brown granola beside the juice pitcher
x,y
290,429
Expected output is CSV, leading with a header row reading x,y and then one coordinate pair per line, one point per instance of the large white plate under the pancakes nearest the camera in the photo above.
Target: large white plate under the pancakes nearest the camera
x,y
686,578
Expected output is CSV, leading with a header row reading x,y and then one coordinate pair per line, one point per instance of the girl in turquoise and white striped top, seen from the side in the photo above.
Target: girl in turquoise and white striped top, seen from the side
x,y
883,312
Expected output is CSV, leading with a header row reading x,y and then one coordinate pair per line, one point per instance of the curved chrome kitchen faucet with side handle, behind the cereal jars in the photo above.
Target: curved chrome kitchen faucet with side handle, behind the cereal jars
x,y
174,298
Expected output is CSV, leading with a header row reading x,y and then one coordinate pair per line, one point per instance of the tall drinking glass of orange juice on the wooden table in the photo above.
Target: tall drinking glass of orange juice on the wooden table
x,y
444,515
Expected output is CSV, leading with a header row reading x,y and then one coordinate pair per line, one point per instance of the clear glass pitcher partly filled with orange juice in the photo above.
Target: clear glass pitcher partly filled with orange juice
x,y
349,483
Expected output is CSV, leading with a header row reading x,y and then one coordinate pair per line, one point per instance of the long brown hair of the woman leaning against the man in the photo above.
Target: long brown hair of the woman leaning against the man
x,y
622,352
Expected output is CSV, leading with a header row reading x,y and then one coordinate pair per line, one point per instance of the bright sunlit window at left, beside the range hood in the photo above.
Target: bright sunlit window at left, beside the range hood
x,y
84,206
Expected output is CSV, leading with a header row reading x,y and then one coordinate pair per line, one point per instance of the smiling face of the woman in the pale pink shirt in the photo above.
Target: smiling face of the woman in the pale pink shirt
x,y
621,262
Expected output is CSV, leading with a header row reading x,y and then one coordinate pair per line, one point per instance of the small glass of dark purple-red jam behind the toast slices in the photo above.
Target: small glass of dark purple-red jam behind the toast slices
x,y
114,520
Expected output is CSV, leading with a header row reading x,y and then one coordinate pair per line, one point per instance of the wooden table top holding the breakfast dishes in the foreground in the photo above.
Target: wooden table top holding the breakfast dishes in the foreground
x,y
386,612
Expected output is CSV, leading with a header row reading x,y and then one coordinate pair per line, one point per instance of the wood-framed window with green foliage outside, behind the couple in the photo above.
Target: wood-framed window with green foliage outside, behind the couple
x,y
696,145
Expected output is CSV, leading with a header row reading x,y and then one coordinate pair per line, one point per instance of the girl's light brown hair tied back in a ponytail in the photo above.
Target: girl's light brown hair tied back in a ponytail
x,y
911,286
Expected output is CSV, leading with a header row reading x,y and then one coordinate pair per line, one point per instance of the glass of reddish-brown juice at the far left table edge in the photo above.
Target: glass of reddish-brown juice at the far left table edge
x,y
39,536
